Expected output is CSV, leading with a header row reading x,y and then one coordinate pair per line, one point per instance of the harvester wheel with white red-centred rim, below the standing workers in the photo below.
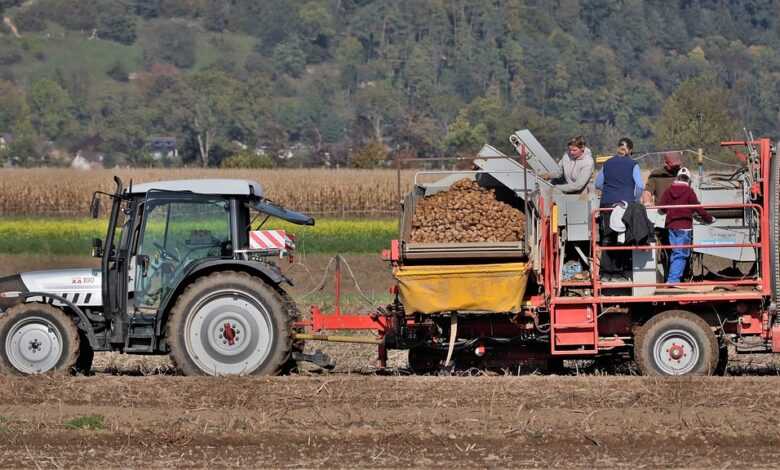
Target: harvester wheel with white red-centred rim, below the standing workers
x,y
676,342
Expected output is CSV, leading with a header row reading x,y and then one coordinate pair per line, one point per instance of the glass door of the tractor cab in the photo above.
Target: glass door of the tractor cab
x,y
176,232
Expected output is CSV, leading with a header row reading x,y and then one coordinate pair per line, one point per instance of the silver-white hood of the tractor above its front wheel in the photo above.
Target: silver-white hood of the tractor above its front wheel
x,y
81,286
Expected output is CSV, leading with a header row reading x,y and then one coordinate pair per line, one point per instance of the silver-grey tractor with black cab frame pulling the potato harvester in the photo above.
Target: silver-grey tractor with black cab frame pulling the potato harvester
x,y
181,273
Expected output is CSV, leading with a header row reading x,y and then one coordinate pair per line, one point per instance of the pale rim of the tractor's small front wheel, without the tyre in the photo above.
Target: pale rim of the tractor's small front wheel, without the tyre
x,y
33,346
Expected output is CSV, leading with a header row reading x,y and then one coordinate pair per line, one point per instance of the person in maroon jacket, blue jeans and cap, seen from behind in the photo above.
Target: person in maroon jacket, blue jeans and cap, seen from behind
x,y
679,221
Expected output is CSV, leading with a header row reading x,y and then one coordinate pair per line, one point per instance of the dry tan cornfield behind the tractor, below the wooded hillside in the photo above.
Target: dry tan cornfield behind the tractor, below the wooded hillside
x,y
67,192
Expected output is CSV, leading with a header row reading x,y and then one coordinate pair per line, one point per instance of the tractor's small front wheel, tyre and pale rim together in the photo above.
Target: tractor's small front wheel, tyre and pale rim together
x,y
36,338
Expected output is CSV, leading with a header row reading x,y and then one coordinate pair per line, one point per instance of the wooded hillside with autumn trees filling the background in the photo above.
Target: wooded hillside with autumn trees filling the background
x,y
355,82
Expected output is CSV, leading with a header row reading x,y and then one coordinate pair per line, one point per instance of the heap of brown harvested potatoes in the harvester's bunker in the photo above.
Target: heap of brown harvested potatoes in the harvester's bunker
x,y
466,213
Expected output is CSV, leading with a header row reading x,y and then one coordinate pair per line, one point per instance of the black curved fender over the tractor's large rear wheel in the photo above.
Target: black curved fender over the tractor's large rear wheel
x,y
264,270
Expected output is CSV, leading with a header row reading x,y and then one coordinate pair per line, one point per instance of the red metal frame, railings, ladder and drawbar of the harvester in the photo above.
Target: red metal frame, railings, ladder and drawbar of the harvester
x,y
574,320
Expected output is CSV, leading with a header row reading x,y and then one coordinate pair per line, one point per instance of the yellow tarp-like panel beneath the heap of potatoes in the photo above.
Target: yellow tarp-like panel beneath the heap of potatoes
x,y
484,288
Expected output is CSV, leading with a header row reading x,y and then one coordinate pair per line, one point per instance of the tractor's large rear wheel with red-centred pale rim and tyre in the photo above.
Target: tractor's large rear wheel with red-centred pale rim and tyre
x,y
229,323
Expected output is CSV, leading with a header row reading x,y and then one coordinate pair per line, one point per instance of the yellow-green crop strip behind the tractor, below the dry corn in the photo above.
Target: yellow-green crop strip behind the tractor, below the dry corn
x,y
52,236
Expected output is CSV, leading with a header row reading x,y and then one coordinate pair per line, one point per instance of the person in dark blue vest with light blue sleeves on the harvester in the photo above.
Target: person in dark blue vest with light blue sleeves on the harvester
x,y
620,182
